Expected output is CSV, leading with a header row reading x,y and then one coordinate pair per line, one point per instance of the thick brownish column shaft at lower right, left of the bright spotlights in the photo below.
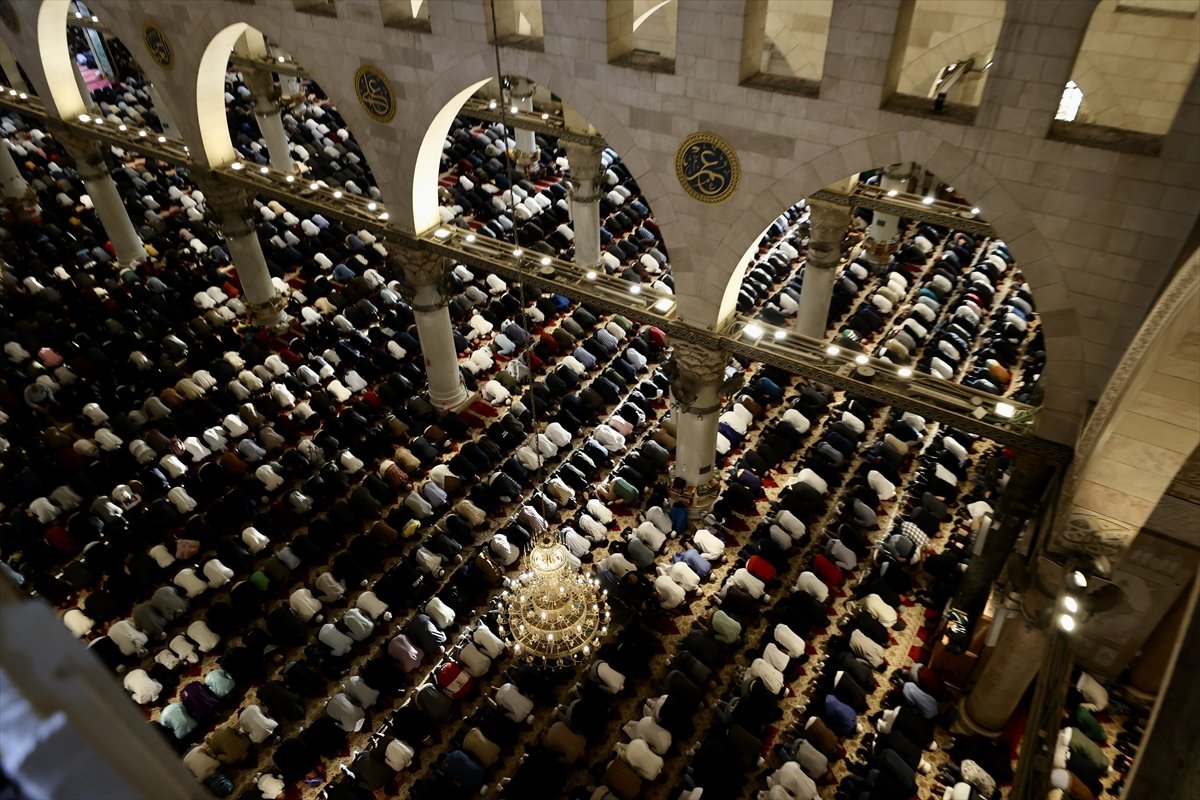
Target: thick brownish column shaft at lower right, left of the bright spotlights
x,y
1004,679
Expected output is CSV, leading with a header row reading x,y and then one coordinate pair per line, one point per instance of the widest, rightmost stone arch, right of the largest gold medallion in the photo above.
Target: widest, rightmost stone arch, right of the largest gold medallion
x,y
1064,376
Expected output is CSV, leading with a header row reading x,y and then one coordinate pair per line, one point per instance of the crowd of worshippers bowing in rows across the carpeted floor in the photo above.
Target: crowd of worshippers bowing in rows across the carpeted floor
x,y
290,558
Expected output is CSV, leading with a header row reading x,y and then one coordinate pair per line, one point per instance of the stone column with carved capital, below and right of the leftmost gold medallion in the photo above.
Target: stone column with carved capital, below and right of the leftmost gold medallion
x,y
236,219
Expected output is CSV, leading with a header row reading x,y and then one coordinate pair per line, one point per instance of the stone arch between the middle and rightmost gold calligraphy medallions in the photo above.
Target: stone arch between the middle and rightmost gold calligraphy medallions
x,y
435,111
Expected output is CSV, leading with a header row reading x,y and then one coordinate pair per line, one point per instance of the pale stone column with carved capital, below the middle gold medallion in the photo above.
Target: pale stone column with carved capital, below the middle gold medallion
x,y
427,274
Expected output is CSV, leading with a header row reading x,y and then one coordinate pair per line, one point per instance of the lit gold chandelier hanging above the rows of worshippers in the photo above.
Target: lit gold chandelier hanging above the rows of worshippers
x,y
551,615
